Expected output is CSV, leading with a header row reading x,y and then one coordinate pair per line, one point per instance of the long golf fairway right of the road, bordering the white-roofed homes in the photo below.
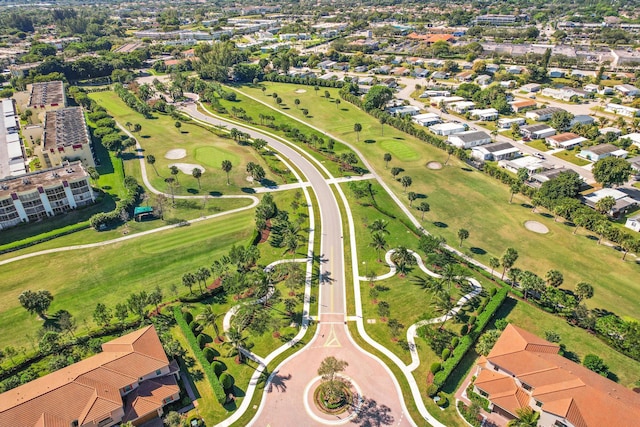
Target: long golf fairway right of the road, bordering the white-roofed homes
x,y
464,198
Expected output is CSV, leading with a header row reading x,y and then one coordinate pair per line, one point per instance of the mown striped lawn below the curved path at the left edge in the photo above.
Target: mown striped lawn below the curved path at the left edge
x,y
79,279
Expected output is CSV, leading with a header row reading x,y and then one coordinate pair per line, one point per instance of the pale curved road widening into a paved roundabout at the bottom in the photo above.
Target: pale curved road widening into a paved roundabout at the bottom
x,y
287,401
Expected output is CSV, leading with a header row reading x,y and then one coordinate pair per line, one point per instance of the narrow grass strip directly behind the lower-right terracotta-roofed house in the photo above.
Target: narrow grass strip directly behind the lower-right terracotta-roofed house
x,y
577,341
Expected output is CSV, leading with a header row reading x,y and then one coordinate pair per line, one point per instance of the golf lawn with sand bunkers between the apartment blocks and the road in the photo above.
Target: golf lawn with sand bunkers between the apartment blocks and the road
x,y
203,148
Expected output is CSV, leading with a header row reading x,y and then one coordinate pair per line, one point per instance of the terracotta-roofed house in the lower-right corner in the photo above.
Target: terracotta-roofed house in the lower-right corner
x,y
523,370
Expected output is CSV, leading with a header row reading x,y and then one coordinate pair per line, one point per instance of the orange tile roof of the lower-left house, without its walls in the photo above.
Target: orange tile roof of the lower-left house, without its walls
x,y
87,391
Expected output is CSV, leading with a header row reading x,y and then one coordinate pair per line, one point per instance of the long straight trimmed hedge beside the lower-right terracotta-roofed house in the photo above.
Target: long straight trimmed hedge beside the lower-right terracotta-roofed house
x,y
467,341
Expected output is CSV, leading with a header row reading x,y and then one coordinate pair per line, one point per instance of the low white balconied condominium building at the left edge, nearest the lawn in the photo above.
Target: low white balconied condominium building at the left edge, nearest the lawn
x,y
42,194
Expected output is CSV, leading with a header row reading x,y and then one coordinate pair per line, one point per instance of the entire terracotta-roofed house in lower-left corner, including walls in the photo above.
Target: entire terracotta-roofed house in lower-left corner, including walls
x,y
131,380
